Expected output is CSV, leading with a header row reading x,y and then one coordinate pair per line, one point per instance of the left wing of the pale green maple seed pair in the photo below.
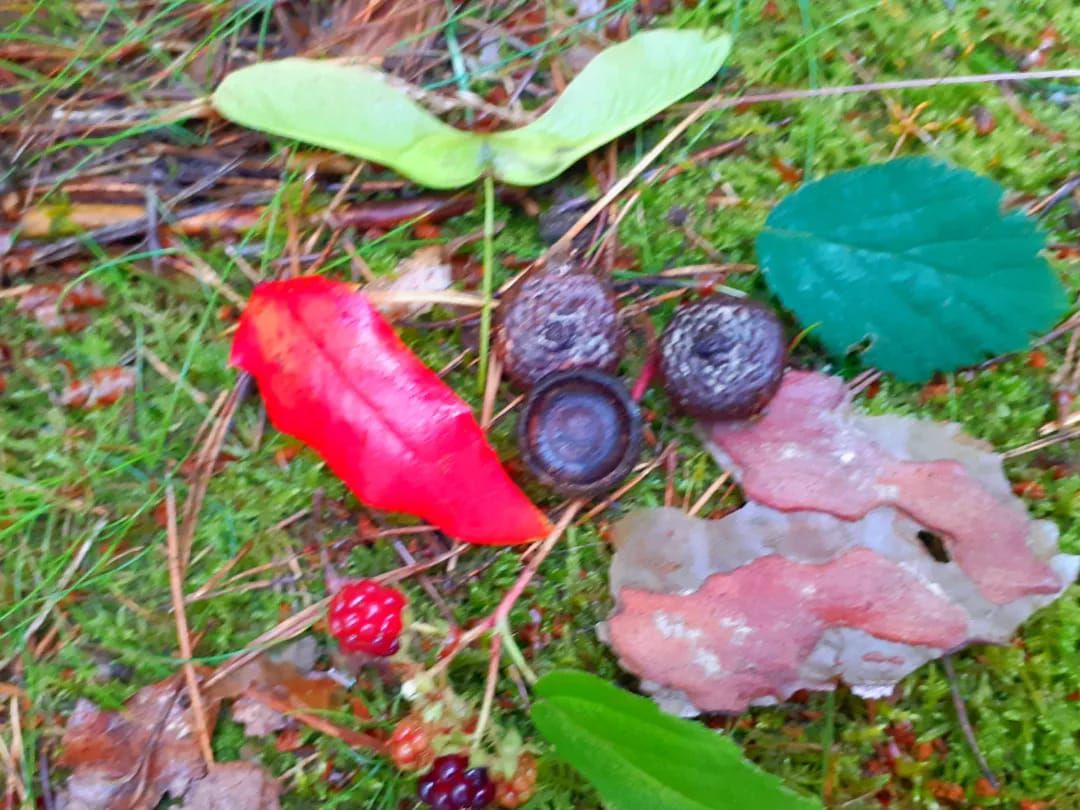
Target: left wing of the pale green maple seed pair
x,y
355,111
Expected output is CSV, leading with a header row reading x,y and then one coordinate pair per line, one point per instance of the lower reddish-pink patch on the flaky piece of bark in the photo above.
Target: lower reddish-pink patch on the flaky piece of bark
x,y
744,637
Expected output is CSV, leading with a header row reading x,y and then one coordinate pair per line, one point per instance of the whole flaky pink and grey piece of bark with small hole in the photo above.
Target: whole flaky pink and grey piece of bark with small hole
x,y
826,575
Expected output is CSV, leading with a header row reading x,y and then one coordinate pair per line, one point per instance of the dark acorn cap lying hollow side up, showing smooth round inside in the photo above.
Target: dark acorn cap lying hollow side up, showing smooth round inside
x,y
579,433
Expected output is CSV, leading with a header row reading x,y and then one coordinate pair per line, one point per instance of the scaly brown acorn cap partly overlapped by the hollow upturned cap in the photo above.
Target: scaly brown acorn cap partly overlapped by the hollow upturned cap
x,y
560,319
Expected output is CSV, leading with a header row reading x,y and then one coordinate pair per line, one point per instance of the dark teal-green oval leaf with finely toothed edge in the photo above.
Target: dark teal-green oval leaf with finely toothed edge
x,y
917,256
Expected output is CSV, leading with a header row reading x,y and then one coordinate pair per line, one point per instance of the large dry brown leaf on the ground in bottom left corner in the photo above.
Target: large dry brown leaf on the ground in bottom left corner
x,y
129,760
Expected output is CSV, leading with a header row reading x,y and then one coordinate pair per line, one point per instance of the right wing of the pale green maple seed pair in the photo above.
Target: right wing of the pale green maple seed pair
x,y
622,88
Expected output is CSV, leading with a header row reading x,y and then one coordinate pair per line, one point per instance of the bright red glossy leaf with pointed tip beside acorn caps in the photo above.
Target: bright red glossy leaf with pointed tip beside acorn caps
x,y
334,374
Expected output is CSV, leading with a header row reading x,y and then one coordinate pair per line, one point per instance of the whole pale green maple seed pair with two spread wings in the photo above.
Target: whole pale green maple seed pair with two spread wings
x,y
356,111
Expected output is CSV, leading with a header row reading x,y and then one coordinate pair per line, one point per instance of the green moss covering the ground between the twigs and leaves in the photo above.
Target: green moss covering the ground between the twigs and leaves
x,y
115,618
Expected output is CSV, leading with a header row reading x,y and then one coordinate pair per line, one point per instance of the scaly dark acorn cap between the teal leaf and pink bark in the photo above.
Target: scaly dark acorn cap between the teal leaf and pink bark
x,y
723,358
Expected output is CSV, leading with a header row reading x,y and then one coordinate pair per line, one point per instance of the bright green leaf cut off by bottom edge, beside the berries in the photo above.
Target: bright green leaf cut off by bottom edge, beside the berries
x,y
640,759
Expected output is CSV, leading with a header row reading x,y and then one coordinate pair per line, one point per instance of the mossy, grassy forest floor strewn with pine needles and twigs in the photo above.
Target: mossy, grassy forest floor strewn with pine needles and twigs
x,y
86,138
